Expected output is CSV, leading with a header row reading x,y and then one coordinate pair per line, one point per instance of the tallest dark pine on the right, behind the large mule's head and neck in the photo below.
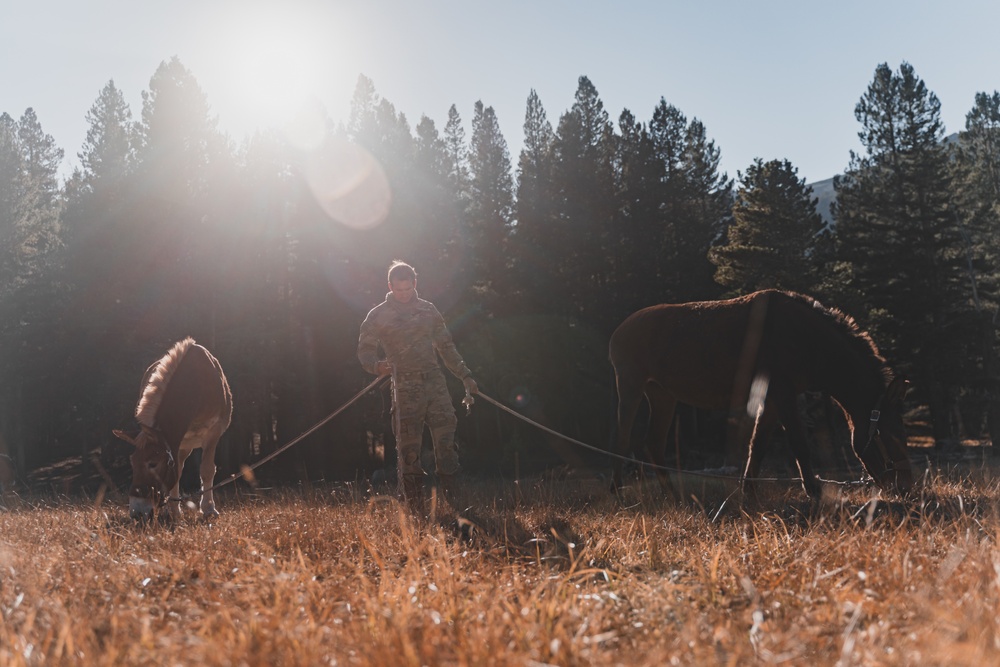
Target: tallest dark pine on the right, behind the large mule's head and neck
x,y
897,239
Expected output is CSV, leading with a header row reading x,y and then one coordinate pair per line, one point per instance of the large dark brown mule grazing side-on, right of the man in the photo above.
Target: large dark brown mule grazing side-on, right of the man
x,y
758,353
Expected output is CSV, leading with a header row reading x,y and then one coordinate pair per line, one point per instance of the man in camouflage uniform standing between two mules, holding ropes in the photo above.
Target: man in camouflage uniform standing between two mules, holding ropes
x,y
412,333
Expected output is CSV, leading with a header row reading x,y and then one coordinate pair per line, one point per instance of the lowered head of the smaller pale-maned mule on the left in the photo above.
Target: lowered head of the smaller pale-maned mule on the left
x,y
154,472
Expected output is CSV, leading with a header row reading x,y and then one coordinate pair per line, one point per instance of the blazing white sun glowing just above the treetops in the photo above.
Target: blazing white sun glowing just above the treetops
x,y
275,69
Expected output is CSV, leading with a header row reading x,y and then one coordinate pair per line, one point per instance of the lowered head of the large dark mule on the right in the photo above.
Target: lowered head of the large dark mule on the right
x,y
880,443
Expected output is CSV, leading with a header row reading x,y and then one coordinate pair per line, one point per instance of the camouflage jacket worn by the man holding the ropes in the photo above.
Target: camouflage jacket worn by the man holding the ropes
x,y
410,334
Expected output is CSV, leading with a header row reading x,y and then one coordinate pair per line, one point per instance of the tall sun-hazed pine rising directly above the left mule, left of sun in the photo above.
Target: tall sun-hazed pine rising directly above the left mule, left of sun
x,y
170,233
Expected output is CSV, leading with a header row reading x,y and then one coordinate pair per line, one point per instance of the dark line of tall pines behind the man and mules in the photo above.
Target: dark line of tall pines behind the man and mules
x,y
168,229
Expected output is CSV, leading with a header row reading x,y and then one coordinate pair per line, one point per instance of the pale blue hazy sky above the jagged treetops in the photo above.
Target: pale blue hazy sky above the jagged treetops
x,y
769,79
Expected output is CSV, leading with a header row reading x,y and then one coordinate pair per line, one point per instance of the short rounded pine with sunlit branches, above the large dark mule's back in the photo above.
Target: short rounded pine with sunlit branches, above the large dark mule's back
x,y
772,239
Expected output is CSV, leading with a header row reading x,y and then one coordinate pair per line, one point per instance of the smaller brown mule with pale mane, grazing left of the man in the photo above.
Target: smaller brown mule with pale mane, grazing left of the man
x,y
184,404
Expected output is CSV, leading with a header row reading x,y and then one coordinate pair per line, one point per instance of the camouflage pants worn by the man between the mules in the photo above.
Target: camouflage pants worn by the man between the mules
x,y
418,399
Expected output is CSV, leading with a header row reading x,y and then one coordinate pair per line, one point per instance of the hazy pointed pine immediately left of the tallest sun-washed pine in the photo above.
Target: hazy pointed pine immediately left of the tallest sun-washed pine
x,y
98,208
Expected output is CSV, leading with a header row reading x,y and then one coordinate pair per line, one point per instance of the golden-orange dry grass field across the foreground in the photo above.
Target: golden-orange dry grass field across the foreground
x,y
559,573
